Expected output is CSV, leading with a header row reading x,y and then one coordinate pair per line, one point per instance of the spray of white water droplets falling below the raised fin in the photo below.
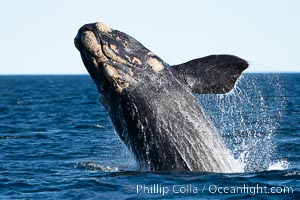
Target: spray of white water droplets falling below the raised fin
x,y
247,120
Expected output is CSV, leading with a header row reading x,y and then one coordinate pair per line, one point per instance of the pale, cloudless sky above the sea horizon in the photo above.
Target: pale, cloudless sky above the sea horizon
x,y
37,37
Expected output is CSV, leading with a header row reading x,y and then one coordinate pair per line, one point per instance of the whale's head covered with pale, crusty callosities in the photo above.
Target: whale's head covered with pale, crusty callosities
x,y
114,59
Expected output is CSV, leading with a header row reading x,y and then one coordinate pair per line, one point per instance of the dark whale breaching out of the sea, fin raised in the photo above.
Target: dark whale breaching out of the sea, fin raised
x,y
152,104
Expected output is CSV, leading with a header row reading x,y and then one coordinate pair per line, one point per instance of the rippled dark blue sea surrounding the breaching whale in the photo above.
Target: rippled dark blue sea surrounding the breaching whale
x,y
57,142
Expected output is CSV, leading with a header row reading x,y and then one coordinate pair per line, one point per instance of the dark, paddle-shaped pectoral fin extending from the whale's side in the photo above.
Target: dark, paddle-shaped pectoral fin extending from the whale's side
x,y
215,74
